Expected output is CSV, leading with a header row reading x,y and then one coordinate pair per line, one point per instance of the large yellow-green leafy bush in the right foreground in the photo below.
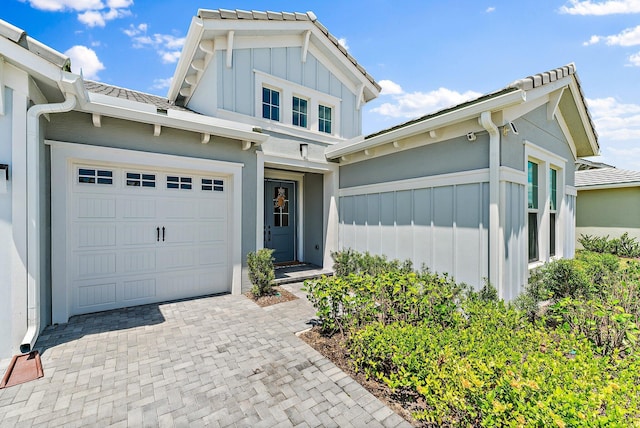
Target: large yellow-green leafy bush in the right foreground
x,y
496,369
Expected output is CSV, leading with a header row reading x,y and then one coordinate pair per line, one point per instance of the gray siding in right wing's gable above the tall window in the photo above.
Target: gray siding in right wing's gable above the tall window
x,y
546,134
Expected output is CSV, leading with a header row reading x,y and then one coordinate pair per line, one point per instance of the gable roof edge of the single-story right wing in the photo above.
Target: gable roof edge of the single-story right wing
x,y
572,101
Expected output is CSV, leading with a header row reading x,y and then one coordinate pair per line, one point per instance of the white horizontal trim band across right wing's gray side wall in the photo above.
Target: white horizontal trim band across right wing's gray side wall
x,y
453,179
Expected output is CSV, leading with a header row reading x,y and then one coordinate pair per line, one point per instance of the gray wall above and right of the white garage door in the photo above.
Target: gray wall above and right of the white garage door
x,y
77,128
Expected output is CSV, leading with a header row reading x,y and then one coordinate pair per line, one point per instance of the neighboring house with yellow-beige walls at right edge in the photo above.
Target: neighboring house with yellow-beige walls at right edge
x,y
608,202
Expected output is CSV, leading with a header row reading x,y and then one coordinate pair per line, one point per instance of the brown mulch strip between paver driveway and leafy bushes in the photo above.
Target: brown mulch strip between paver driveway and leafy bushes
x,y
403,402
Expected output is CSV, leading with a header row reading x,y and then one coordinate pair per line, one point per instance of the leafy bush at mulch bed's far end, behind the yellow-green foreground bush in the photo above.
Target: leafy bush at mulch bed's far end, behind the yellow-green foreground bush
x,y
345,303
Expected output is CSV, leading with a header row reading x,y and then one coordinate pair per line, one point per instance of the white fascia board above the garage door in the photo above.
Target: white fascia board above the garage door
x,y
186,121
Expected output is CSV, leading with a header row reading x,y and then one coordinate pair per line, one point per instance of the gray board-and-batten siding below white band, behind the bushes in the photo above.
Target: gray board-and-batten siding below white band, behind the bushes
x,y
444,228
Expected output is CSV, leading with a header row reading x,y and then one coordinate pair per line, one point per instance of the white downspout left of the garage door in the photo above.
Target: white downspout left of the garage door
x,y
33,215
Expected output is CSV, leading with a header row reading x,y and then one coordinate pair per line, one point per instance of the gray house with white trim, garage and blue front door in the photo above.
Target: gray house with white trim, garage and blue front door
x,y
114,198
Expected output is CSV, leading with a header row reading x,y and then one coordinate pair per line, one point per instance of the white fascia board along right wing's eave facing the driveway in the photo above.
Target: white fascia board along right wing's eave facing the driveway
x,y
493,104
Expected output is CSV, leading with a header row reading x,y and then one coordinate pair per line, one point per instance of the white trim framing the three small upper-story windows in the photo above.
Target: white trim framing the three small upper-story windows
x,y
287,91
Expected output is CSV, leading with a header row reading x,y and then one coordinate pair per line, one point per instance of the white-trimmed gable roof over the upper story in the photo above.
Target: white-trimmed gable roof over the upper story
x,y
230,25
